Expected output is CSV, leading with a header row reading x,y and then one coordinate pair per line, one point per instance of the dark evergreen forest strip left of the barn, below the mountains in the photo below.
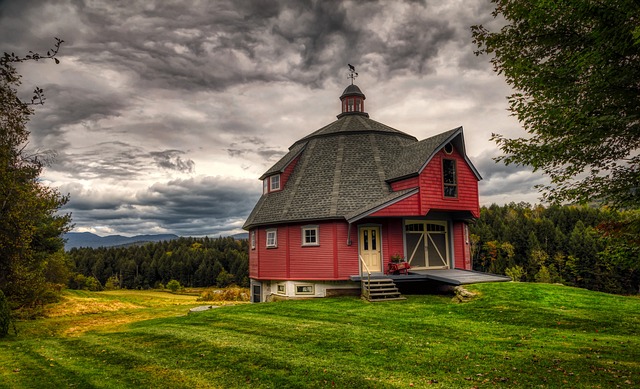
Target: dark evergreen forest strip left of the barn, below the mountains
x,y
193,262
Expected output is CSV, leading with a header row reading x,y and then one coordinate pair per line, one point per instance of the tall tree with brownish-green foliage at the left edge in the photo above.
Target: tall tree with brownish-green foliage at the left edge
x,y
30,229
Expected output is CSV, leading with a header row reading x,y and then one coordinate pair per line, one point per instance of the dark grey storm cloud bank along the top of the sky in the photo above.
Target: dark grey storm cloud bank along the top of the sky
x,y
215,45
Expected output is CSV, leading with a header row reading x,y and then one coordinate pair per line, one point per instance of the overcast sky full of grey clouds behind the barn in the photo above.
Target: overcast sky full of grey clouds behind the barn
x,y
163,114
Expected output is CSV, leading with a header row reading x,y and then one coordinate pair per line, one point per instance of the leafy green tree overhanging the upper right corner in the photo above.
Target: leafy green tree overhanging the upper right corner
x,y
575,67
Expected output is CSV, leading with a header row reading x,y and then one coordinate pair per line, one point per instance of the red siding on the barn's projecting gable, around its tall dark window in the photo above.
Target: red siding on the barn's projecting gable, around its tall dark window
x,y
431,186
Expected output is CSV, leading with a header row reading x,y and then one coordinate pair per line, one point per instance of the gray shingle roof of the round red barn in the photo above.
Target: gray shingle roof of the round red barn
x,y
344,170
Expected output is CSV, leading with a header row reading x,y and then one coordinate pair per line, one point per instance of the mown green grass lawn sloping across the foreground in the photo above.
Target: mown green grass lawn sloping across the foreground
x,y
512,335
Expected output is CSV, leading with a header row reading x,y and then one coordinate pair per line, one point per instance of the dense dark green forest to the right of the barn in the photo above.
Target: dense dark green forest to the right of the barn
x,y
573,245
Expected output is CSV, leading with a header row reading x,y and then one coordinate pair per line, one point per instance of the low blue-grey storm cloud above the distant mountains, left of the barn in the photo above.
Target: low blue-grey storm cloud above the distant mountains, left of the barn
x,y
199,206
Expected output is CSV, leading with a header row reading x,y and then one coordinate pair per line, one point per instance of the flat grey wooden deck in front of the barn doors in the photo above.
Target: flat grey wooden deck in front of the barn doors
x,y
445,276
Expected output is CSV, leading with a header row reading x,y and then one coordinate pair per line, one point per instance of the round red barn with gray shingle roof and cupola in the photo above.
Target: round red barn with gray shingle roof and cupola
x,y
355,195
